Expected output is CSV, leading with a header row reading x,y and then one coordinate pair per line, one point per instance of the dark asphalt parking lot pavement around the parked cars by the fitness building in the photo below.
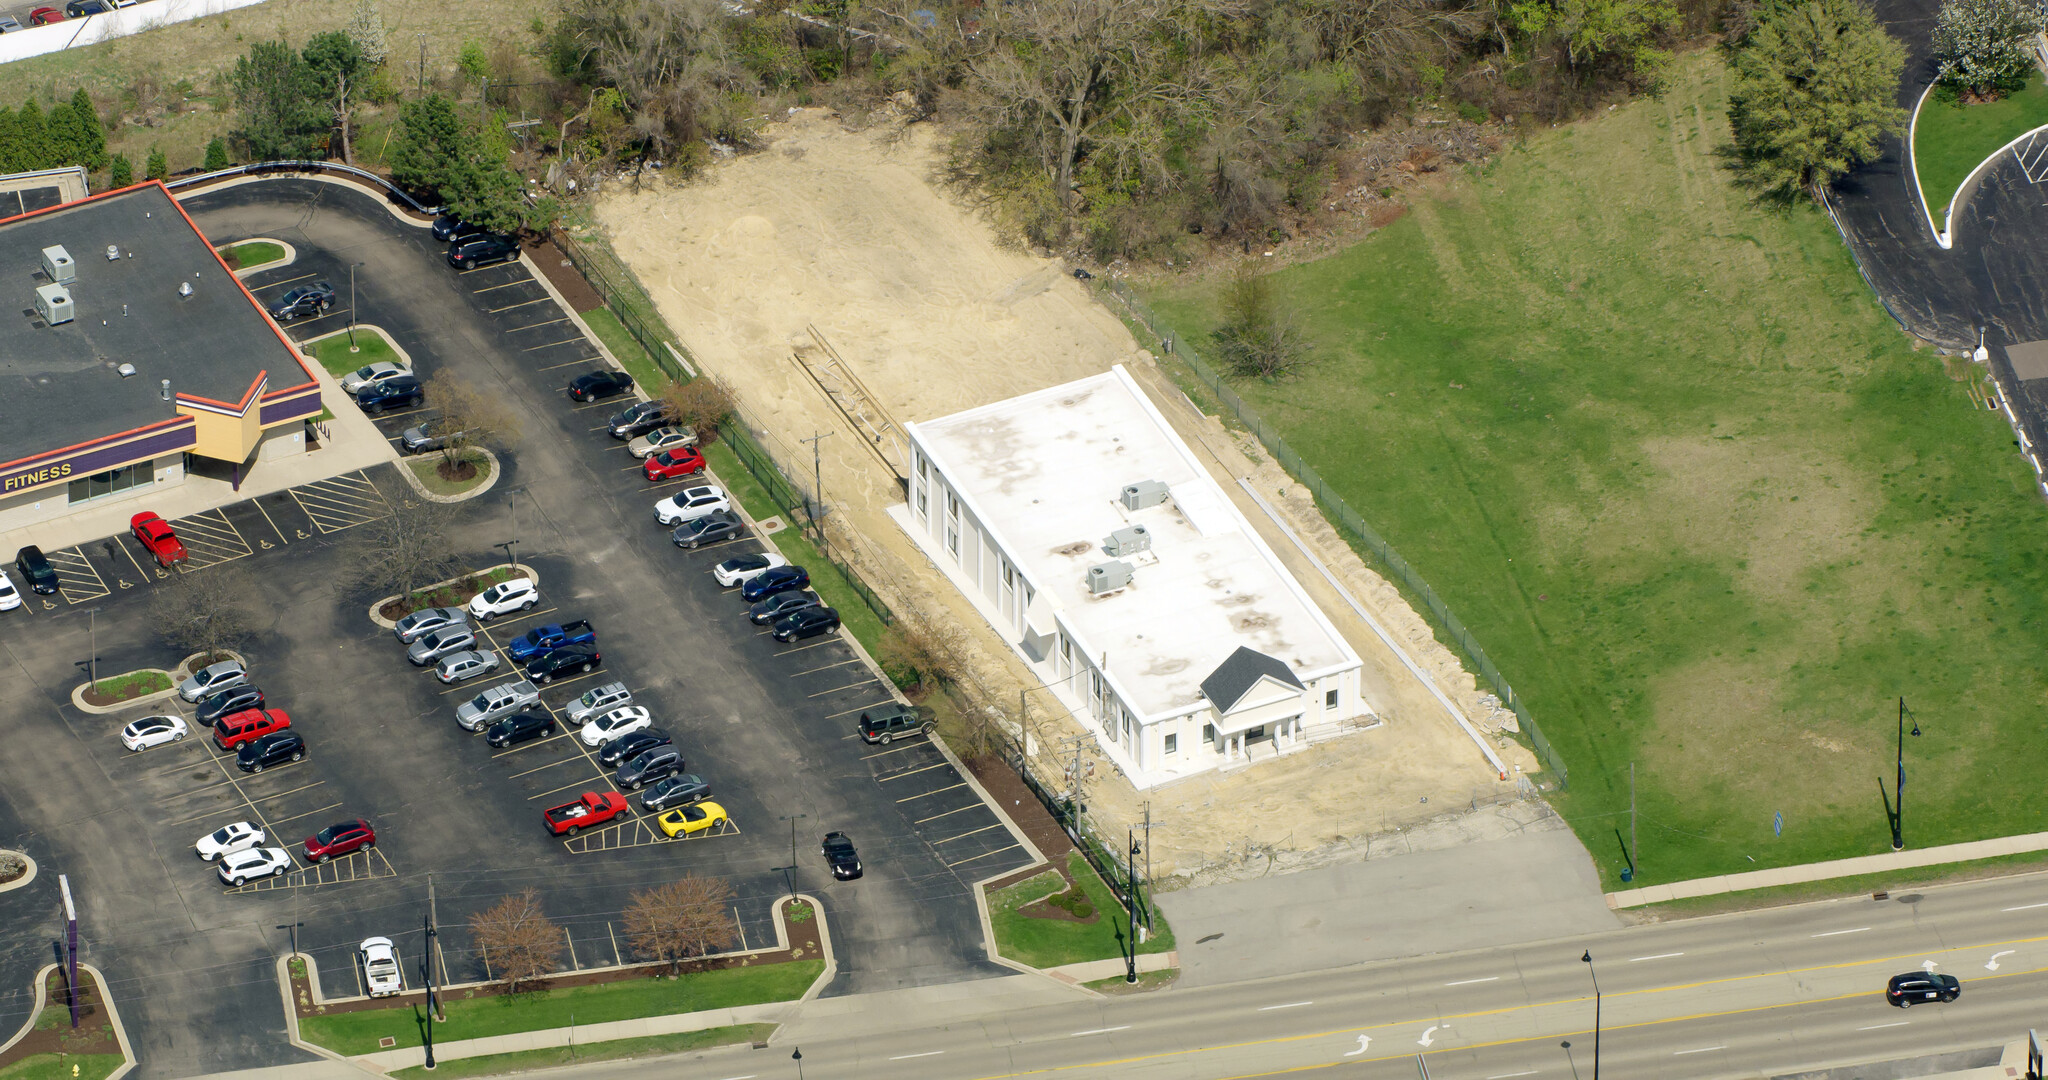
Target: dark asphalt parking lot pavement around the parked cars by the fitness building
x,y
767,724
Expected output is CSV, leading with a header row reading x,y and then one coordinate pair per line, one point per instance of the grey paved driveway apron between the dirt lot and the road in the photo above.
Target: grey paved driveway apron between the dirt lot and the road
x,y
1531,886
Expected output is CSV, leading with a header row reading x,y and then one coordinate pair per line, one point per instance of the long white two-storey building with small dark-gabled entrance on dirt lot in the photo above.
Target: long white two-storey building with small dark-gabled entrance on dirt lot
x,y
1095,542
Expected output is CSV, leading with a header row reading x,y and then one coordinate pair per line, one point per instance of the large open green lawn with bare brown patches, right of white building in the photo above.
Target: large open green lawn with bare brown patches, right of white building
x,y
1691,489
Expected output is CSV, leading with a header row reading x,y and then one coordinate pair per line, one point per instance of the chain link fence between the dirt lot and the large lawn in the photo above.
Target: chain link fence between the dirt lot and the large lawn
x,y
1340,513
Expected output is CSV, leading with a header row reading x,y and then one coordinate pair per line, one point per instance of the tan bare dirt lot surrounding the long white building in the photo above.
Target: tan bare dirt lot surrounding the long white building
x,y
845,233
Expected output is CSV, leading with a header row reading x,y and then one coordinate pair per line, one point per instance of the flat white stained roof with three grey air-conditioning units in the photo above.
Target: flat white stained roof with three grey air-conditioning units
x,y
1046,474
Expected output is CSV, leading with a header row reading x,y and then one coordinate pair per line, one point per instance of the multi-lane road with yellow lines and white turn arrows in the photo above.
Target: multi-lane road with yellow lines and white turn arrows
x,y
1756,995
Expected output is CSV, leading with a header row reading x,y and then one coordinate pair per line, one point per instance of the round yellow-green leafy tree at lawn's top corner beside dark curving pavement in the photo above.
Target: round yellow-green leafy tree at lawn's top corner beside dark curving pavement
x,y
1814,97
